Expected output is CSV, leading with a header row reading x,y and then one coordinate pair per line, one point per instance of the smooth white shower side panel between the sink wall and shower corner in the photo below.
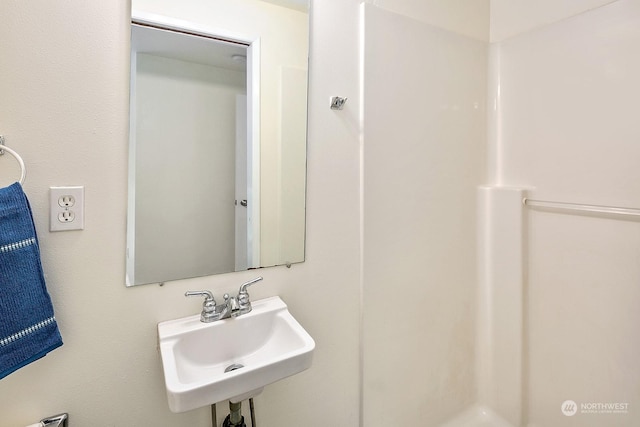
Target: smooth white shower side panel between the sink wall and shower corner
x,y
423,157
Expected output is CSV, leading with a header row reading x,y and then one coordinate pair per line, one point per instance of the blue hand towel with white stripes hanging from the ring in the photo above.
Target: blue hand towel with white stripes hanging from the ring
x,y
28,328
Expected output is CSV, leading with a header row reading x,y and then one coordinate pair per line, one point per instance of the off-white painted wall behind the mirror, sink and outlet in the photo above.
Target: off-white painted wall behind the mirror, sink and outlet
x,y
64,88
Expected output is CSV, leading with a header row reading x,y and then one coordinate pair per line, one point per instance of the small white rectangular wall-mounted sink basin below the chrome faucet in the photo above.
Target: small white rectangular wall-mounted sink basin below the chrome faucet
x,y
255,349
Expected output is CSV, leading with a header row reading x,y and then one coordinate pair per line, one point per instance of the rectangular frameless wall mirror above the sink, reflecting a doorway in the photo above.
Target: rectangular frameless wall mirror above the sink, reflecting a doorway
x,y
217,145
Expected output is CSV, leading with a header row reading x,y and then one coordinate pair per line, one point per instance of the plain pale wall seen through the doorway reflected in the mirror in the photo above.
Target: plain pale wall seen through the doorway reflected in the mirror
x,y
185,149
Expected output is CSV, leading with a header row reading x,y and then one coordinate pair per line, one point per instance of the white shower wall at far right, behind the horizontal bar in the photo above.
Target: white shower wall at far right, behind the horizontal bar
x,y
569,131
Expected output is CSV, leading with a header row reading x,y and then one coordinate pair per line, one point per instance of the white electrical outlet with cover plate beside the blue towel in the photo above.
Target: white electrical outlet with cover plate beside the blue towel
x,y
66,208
